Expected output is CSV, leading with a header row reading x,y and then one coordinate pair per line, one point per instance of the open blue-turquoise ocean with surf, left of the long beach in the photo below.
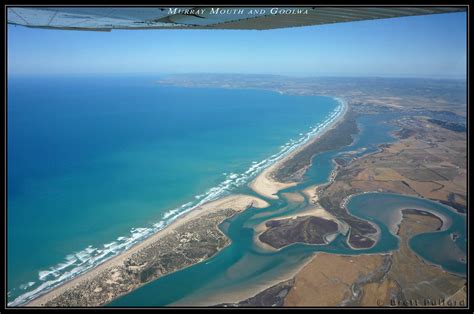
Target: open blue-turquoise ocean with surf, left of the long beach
x,y
97,163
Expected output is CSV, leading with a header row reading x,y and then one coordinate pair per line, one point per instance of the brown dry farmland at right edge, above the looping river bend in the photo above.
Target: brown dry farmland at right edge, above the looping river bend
x,y
429,164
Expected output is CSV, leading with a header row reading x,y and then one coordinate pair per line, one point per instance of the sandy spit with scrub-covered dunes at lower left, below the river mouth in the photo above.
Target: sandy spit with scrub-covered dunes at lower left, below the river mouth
x,y
87,289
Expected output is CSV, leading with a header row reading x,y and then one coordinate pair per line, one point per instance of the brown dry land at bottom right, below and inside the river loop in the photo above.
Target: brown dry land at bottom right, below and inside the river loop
x,y
328,279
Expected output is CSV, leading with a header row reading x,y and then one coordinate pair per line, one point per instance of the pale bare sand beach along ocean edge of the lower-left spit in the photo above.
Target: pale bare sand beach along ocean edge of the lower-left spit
x,y
236,202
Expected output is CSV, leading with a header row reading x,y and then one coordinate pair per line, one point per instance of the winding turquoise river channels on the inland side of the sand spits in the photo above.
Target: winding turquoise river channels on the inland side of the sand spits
x,y
243,266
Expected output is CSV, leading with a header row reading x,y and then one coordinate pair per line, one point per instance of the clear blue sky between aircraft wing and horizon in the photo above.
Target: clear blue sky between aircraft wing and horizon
x,y
422,46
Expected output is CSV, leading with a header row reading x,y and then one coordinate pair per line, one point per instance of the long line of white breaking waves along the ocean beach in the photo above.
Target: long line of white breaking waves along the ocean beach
x,y
80,262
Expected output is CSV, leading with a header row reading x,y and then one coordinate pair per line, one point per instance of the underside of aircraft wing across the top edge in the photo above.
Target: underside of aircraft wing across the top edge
x,y
256,18
